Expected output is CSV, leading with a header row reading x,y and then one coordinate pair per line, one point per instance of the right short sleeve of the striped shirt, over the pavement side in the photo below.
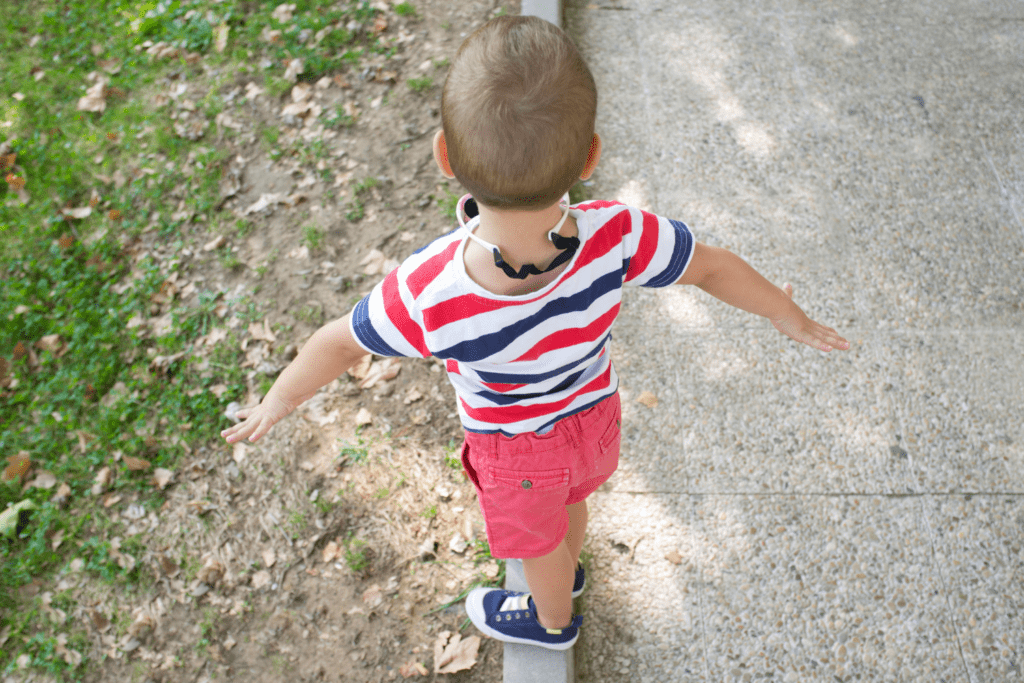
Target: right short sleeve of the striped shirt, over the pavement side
x,y
658,249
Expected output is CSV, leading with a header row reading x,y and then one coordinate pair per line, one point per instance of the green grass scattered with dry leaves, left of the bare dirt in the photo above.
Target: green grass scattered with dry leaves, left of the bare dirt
x,y
77,379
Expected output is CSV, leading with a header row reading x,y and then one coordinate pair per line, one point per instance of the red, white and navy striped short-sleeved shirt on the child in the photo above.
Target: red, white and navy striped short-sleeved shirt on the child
x,y
522,363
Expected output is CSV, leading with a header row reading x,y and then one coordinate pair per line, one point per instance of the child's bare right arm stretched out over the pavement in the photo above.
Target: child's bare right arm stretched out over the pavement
x,y
727,277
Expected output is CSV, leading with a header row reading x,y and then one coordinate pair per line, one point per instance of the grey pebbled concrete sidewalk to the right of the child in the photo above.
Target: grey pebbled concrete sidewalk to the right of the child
x,y
784,515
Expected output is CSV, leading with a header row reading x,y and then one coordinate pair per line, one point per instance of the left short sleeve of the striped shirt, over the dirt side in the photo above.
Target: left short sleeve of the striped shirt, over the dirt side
x,y
385,322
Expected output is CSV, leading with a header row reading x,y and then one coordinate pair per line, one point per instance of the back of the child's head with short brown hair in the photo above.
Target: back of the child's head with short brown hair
x,y
519,112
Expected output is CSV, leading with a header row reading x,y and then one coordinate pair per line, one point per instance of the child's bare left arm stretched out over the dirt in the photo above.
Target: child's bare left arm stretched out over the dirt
x,y
329,353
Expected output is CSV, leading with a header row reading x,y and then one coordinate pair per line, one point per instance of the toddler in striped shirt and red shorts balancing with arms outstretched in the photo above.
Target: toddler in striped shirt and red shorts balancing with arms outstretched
x,y
520,304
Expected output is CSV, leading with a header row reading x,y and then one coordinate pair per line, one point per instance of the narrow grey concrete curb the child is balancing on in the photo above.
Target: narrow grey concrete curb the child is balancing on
x,y
527,664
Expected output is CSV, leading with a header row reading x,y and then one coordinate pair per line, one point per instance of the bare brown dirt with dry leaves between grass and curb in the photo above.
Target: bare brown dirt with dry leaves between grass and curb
x,y
326,552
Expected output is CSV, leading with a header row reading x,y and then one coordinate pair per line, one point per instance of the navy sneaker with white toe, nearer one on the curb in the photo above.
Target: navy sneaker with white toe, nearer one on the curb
x,y
511,617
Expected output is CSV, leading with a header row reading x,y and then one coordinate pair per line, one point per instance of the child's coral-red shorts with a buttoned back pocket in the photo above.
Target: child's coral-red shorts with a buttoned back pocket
x,y
525,483
